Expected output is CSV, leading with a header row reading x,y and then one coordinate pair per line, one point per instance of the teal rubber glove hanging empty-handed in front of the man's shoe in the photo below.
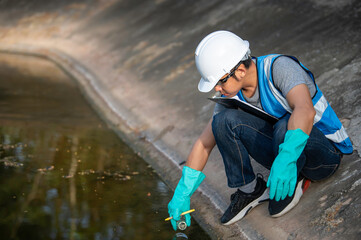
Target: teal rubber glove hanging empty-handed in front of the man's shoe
x,y
283,176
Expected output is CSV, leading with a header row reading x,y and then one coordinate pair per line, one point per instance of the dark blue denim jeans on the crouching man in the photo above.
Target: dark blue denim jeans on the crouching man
x,y
239,134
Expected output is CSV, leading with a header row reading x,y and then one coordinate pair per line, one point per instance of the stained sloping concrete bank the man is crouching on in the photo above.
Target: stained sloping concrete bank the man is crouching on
x,y
134,61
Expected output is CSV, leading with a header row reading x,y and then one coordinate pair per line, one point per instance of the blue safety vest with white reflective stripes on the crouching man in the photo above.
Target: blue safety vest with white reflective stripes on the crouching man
x,y
273,102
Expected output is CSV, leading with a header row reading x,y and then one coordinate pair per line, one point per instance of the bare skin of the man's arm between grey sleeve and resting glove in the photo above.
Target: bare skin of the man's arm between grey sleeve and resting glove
x,y
303,113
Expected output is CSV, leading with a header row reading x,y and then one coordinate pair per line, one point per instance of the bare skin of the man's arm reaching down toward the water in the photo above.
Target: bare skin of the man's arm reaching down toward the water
x,y
202,148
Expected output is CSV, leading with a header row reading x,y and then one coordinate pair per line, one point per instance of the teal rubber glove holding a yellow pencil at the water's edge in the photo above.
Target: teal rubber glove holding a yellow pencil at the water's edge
x,y
190,181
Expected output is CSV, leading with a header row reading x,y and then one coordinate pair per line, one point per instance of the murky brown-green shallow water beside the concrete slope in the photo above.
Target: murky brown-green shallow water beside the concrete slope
x,y
63,173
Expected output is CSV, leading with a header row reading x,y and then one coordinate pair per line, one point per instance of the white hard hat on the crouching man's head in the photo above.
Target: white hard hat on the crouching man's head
x,y
216,55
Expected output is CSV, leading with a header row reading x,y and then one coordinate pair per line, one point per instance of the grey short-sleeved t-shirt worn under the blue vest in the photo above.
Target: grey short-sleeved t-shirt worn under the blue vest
x,y
287,74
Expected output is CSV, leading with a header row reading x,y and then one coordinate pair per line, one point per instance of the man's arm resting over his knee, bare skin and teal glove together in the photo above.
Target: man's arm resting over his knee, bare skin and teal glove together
x,y
283,176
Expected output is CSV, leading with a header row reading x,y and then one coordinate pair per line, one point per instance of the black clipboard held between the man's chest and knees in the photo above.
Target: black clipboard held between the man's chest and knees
x,y
236,104
